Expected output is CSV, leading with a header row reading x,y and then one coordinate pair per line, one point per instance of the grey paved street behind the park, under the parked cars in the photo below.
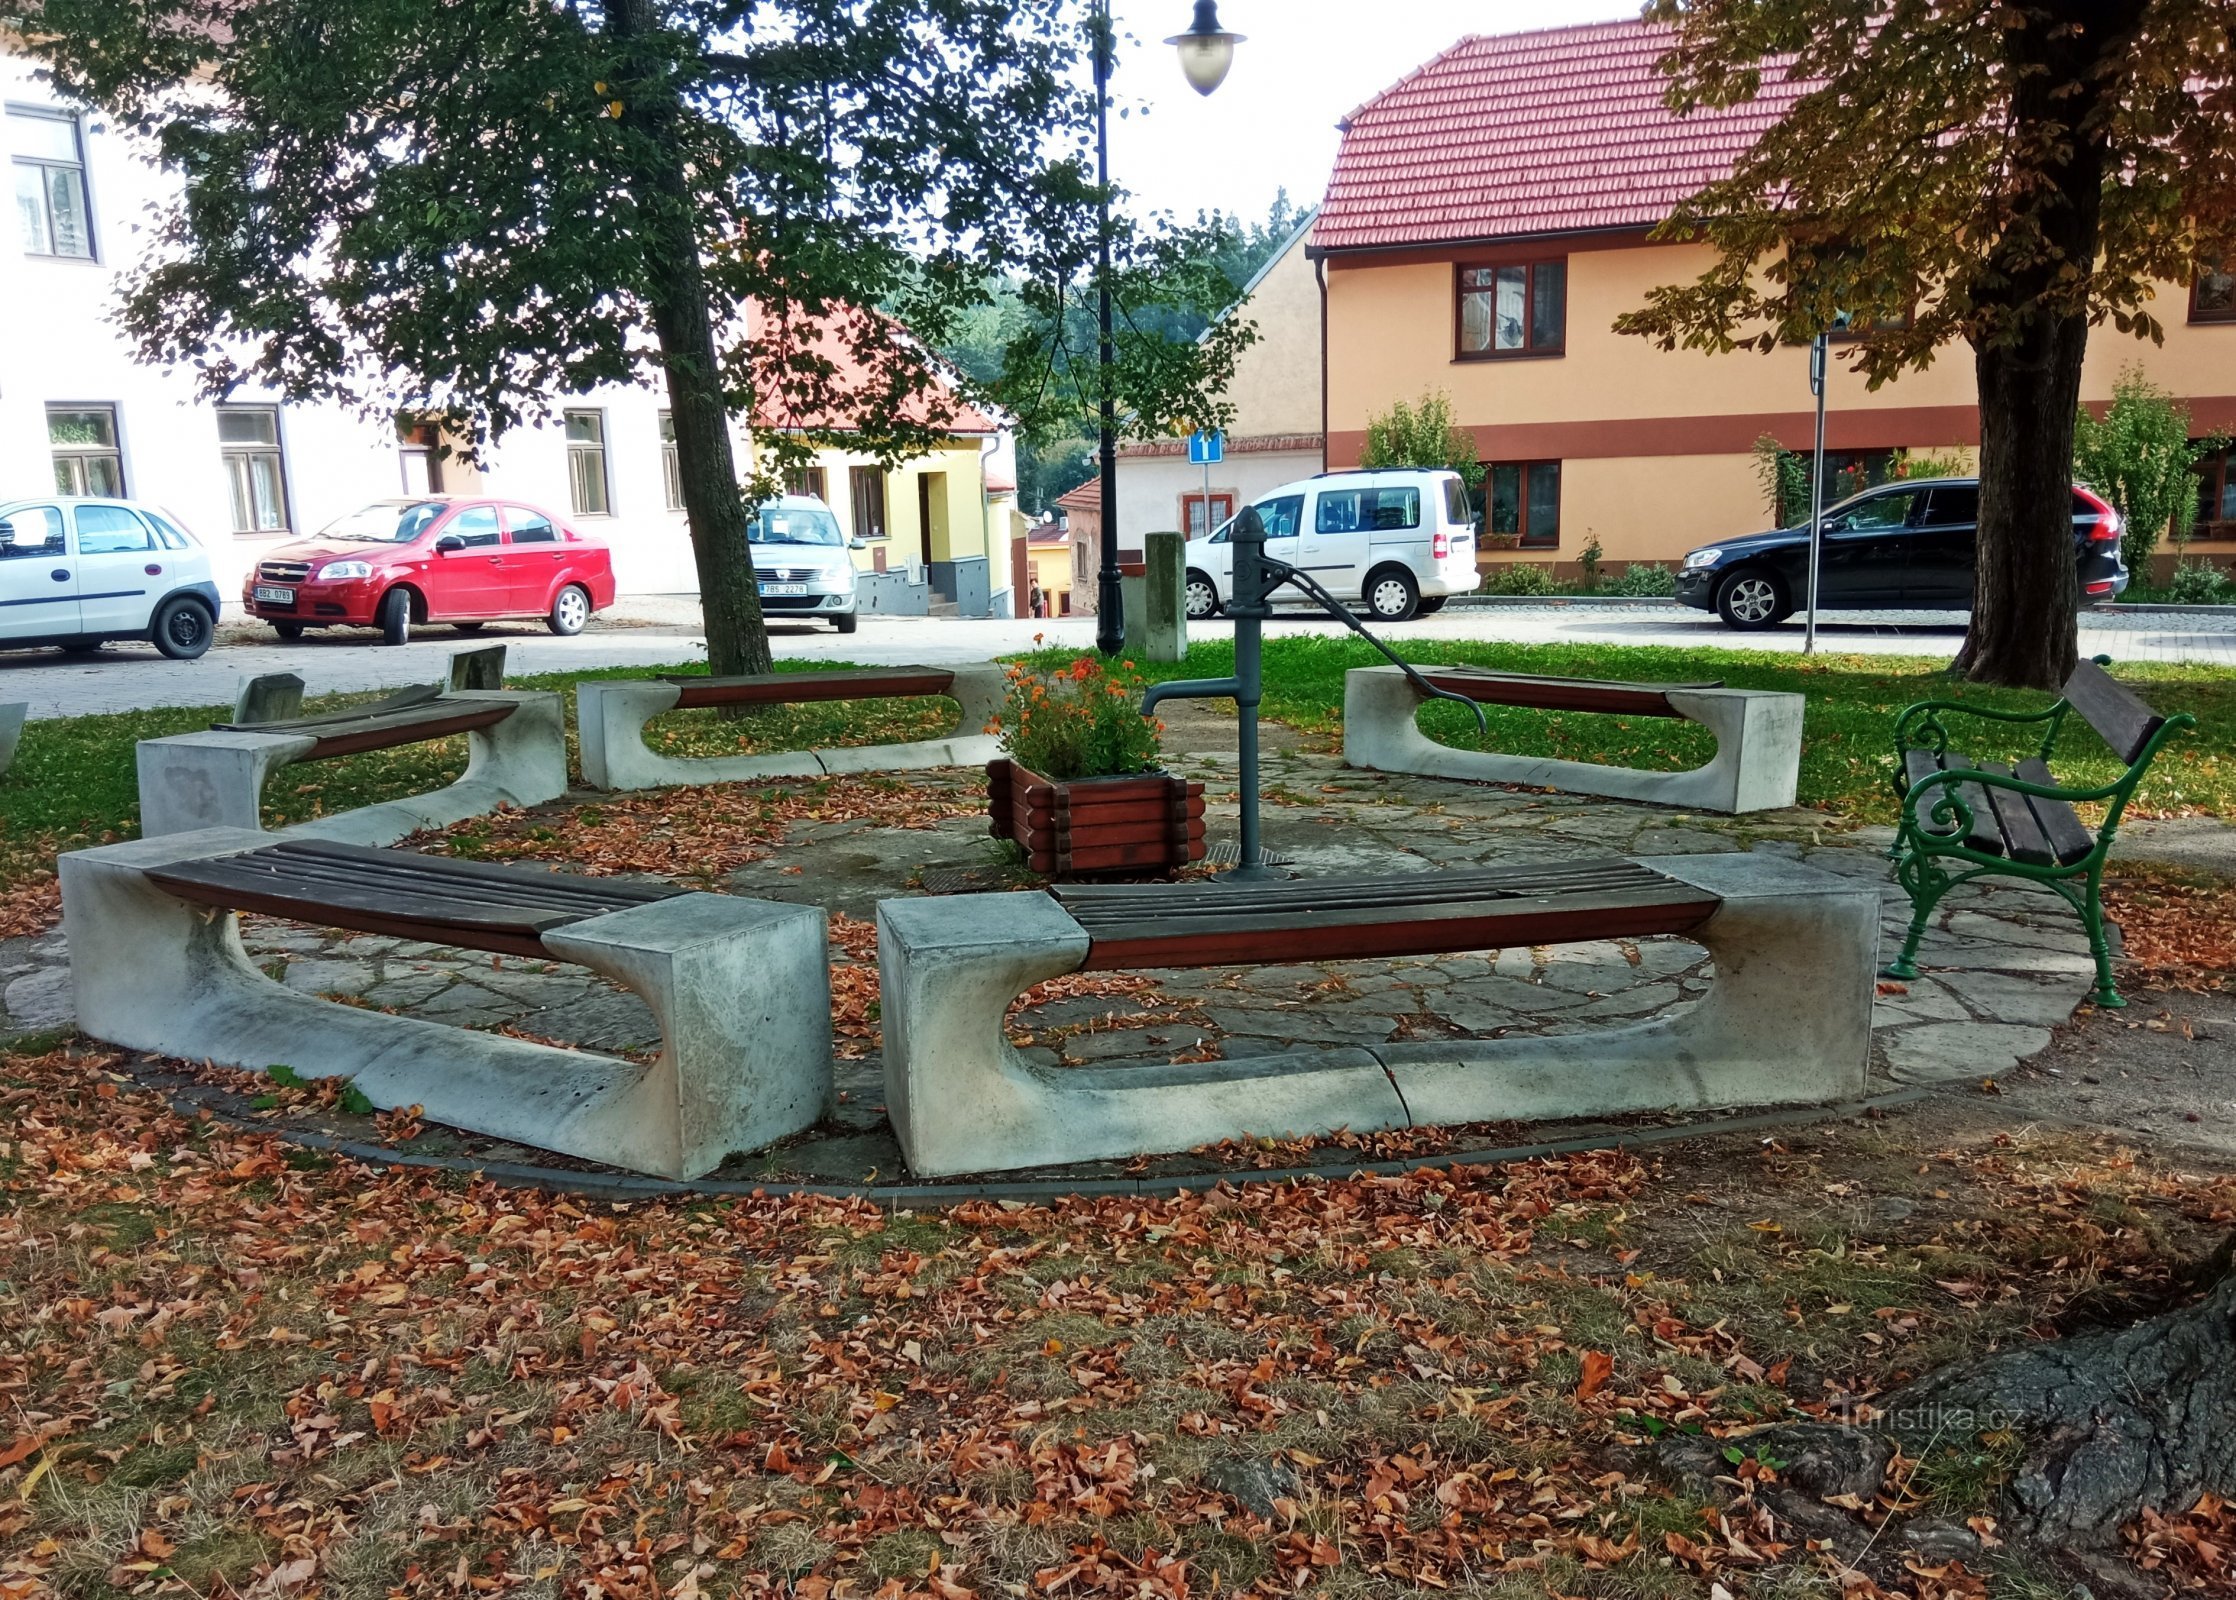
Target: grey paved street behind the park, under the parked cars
x,y
667,631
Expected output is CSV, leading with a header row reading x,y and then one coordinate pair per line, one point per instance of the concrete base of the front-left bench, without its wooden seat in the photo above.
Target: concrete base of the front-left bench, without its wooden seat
x,y
739,987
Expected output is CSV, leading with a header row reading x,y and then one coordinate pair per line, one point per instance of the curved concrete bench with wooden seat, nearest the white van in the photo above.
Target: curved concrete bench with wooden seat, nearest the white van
x,y
1759,736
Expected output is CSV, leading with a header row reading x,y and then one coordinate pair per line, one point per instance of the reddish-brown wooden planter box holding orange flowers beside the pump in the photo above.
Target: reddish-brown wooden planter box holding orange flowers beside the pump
x,y
1141,823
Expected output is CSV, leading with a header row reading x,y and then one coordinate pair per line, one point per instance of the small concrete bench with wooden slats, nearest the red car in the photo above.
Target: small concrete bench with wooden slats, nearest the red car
x,y
515,756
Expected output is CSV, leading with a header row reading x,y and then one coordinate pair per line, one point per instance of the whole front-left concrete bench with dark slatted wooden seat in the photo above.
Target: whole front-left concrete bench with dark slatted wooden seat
x,y
739,987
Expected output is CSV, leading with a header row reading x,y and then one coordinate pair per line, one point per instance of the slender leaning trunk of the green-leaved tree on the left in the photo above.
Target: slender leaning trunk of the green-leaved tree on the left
x,y
676,289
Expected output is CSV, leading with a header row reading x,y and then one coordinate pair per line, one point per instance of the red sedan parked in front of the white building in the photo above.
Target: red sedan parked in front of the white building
x,y
399,564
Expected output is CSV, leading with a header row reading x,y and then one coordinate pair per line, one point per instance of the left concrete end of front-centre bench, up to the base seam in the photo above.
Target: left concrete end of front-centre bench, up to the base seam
x,y
965,1101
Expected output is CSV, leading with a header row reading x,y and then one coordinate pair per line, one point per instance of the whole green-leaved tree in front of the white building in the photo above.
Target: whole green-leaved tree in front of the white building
x,y
468,211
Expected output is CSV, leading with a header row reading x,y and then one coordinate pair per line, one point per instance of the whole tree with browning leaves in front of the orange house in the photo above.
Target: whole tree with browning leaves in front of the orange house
x,y
1996,173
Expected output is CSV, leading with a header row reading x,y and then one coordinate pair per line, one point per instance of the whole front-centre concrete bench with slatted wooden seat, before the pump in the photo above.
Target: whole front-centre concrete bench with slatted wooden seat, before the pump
x,y
1788,1018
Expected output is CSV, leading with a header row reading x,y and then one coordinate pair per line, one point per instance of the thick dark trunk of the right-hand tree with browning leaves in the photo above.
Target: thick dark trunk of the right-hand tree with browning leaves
x,y
2031,341
